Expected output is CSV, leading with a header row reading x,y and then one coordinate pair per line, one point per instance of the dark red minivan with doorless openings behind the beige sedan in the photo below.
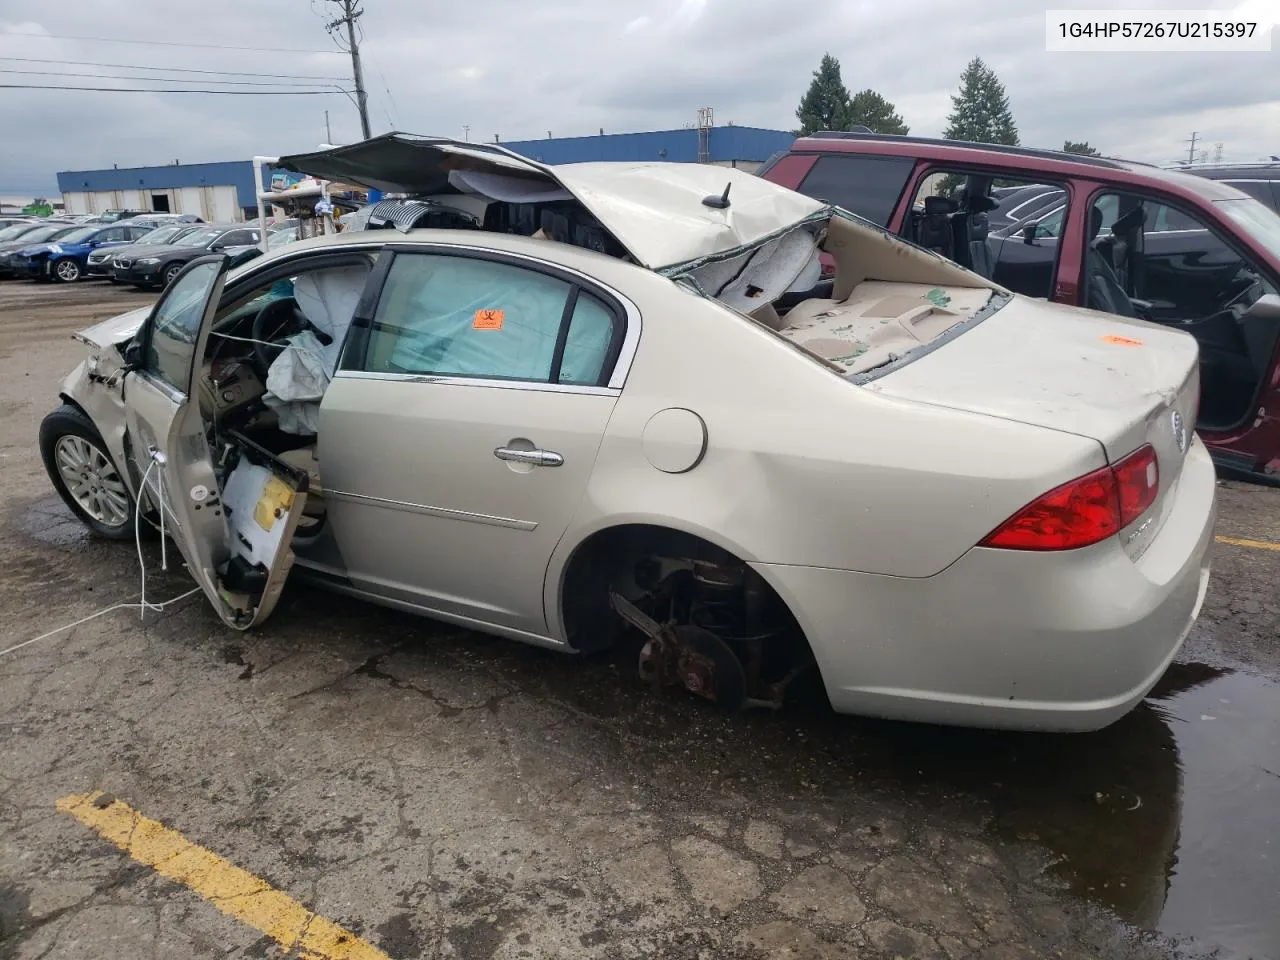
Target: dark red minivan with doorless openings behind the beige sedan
x,y
1117,236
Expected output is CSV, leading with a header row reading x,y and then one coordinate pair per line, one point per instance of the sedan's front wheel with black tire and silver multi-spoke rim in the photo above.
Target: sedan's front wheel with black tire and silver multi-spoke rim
x,y
84,474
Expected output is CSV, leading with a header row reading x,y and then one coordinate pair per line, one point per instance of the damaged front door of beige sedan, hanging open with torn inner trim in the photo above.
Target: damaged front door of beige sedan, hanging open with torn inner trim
x,y
234,516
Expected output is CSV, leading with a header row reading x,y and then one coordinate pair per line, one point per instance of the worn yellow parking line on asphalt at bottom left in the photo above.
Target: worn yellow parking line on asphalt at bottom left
x,y
232,890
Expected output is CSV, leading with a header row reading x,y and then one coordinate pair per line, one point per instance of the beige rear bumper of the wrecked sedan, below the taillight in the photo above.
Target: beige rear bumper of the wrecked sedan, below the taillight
x,y
1057,642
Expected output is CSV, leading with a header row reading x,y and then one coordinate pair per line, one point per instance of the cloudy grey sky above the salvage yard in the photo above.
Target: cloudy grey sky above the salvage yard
x,y
572,67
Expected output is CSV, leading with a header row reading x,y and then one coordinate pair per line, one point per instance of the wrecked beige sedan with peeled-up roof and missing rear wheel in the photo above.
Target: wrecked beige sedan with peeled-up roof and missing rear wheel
x,y
958,505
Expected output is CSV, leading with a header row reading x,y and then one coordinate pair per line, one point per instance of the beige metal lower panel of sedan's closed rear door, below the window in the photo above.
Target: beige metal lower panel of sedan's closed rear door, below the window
x,y
459,496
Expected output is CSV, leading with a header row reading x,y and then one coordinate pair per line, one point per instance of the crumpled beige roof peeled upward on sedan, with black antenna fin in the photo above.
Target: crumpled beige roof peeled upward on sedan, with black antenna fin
x,y
655,211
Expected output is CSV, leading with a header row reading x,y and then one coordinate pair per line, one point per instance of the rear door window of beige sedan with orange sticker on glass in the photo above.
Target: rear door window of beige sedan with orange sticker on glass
x,y
461,317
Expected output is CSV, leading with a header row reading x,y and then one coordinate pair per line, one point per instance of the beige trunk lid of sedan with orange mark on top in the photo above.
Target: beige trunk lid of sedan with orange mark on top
x,y
1119,382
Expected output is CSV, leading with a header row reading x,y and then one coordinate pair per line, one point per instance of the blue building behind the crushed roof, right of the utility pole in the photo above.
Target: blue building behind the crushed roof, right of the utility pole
x,y
726,147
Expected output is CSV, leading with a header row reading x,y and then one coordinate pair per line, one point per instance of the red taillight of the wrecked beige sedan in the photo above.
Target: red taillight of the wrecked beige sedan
x,y
1085,511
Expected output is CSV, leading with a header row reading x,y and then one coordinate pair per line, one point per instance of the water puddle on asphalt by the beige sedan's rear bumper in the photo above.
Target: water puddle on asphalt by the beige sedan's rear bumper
x,y
1169,817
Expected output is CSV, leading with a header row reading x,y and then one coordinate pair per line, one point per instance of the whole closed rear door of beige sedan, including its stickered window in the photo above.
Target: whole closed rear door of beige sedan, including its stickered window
x,y
460,435
